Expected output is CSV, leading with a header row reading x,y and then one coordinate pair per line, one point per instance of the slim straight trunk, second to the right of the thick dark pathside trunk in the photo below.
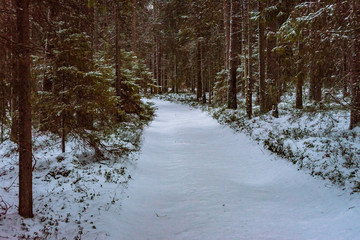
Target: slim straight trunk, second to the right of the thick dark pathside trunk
x,y
261,39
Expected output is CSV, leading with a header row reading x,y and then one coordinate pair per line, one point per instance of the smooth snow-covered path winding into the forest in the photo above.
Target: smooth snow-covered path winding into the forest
x,y
196,179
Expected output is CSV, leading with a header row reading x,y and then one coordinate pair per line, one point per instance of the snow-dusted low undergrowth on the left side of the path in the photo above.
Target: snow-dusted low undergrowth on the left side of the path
x,y
73,190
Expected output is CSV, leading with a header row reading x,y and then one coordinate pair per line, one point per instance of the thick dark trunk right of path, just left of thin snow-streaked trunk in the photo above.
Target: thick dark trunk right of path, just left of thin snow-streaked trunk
x,y
235,49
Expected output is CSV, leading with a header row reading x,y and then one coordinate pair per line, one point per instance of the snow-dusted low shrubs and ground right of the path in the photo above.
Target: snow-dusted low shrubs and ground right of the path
x,y
316,139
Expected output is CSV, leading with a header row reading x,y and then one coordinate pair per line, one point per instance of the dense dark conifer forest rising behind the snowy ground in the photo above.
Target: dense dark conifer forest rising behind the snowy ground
x,y
78,68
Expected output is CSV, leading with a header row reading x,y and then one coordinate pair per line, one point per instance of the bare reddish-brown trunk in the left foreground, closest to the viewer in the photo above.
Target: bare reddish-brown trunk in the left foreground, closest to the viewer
x,y
23,75
